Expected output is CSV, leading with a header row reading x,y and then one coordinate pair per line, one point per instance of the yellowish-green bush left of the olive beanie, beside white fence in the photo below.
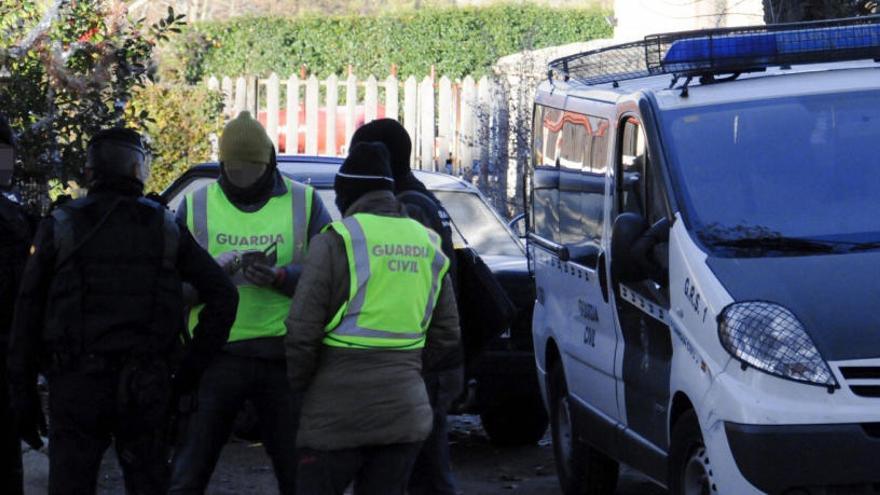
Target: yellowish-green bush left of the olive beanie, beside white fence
x,y
182,120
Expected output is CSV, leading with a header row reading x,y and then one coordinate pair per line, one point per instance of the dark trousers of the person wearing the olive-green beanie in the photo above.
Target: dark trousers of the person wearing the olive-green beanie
x,y
227,383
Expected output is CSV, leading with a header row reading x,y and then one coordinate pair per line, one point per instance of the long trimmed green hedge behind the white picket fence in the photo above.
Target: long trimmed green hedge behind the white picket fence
x,y
457,41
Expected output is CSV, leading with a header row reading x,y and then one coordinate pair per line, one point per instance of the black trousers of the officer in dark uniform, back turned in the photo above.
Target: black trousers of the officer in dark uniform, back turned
x,y
85,418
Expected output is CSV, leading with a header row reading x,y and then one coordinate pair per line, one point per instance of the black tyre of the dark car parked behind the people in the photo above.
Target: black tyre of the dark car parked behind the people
x,y
515,421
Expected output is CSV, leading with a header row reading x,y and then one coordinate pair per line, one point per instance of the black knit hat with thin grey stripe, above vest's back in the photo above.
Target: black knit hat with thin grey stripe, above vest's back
x,y
365,169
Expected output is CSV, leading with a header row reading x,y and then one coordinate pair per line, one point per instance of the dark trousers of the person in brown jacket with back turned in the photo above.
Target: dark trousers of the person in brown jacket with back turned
x,y
375,470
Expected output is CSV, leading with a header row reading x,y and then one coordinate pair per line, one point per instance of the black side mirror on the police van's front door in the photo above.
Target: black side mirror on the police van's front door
x,y
632,245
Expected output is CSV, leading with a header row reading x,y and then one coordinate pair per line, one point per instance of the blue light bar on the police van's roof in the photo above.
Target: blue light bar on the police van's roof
x,y
763,49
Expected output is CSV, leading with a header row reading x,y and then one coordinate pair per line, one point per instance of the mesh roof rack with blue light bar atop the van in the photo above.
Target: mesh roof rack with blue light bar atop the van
x,y
707,53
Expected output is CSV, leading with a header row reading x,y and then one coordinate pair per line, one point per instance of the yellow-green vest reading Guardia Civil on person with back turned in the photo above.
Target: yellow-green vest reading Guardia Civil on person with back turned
x,y
396,268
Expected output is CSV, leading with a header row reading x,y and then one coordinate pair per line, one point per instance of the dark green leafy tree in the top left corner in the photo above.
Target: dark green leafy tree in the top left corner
x,y
77,76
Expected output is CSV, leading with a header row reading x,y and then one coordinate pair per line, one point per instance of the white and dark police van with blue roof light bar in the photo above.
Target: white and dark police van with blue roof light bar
x,y
704,231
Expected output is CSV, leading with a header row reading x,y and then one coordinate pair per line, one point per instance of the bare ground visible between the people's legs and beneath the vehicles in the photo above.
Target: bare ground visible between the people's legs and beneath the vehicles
x,y
481,468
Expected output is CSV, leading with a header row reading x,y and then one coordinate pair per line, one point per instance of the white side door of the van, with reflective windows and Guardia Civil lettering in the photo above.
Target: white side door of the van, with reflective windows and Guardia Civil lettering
x,y
568,201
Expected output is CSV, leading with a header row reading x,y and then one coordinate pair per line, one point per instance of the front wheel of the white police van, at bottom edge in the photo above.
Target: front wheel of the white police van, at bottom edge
x,y
690,472
